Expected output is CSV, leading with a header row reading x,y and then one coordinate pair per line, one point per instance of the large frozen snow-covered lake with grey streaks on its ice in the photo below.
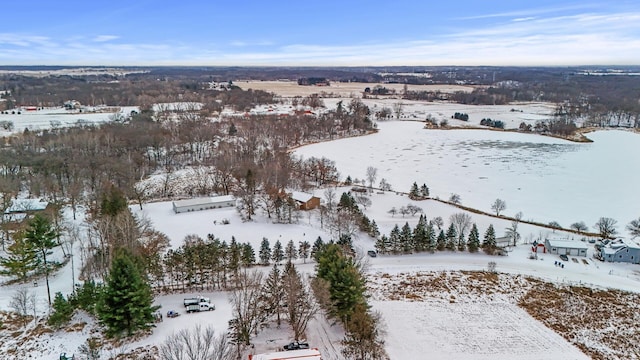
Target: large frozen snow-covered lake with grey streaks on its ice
x,y
546,179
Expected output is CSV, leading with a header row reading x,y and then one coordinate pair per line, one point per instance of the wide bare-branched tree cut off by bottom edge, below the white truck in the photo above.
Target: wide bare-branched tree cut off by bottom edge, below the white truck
x,y
196,344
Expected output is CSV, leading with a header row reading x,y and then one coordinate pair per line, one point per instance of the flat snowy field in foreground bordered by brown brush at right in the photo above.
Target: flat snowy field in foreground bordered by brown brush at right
x,y
469,331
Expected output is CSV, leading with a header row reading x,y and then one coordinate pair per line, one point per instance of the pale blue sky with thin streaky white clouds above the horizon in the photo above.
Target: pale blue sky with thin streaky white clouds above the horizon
x,y
320,33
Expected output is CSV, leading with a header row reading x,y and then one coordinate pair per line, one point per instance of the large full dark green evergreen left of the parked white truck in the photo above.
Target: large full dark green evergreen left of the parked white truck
x,y
126,303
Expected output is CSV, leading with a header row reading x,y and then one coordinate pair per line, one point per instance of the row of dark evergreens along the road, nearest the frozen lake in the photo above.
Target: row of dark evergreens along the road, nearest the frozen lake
x,y
428,237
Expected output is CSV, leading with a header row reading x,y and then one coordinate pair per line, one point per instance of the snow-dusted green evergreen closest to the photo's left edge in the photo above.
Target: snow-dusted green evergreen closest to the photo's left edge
x,y
20,259
